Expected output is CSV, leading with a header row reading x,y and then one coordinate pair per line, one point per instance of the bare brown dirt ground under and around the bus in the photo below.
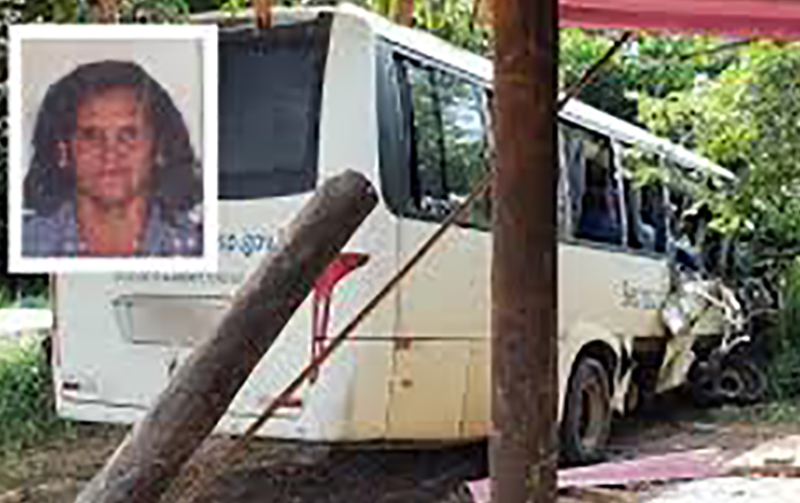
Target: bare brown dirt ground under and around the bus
x,y
287,473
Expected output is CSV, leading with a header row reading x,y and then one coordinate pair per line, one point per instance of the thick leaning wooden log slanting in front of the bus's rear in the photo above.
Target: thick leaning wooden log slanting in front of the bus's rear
x,y
198,396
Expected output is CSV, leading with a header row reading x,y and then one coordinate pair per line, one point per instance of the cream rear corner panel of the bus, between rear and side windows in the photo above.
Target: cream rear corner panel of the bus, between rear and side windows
x,y
348,401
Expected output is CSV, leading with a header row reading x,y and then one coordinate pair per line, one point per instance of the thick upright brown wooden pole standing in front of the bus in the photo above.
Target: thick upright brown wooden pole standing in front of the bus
x,y
523,444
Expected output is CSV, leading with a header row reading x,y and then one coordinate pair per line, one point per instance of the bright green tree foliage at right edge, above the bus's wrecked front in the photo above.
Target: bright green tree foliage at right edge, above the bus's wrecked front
x,y
746,120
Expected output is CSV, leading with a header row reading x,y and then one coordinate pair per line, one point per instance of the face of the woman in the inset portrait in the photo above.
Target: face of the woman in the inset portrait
x,y
113,147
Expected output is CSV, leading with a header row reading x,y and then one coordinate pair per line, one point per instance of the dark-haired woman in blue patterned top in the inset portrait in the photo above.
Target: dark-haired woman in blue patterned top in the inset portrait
x,y
113,172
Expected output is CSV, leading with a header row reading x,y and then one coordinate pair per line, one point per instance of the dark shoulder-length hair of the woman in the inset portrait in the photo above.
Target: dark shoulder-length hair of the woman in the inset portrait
x,y
177,185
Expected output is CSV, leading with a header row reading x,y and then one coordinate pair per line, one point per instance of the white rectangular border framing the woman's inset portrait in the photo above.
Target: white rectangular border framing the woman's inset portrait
x,y
207,34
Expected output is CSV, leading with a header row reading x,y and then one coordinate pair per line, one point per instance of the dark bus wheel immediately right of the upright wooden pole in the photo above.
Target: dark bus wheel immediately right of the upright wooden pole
x,y
586,424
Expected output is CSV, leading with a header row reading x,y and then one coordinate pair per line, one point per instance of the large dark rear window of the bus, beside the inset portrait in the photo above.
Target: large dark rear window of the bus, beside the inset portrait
x,y
270,89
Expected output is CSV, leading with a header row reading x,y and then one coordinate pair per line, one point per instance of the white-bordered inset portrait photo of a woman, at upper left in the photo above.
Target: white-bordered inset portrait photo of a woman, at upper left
x,y
113,148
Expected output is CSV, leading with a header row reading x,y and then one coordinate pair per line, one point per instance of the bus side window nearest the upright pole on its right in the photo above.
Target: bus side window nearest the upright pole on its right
x,y
600,218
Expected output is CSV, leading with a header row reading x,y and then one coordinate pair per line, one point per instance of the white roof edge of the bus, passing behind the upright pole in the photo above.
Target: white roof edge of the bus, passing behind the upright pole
x,y
425,43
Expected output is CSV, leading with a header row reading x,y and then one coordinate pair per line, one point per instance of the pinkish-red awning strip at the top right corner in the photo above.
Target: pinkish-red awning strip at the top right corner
x,y
768,18
